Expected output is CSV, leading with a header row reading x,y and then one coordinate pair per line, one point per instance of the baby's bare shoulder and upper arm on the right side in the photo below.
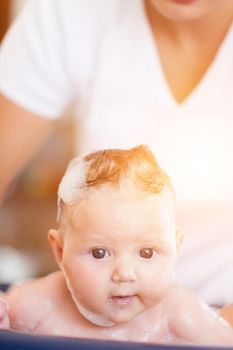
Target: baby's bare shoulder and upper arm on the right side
x,y
195,322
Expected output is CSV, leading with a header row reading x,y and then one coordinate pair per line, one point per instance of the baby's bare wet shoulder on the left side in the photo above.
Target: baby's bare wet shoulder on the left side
x,y
32,301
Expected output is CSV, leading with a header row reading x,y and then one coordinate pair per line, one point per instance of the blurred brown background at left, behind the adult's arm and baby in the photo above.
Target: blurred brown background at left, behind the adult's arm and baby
x,y
30,203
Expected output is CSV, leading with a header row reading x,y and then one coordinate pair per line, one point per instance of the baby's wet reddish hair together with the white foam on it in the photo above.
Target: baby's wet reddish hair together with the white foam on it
x,y
112,167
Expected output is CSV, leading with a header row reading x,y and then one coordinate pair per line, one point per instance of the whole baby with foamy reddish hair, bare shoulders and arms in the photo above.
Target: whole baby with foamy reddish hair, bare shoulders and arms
x,y
116,247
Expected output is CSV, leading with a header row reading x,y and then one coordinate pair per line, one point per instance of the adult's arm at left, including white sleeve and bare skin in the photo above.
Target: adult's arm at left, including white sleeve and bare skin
x,y
35,81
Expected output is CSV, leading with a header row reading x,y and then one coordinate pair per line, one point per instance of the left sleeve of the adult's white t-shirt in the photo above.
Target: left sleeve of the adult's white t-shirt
x,y
33,67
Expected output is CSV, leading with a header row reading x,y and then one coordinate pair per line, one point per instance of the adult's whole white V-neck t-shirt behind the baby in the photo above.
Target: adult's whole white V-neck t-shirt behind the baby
x,y
100,56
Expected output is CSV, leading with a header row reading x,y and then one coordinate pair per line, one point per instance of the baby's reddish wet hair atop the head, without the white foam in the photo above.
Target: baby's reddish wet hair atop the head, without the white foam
x,y
112,166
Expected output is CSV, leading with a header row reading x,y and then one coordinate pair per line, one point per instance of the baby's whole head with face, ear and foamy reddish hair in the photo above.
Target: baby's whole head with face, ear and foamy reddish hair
x,y
117,241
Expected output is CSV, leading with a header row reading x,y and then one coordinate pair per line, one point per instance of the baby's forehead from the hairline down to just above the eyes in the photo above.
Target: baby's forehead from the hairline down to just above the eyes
x,y
105,222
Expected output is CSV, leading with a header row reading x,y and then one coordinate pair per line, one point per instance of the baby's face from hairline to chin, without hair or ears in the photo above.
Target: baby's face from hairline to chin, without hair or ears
x,y
119,255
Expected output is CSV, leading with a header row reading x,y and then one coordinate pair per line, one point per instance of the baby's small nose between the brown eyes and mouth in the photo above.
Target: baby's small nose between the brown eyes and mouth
x,y
124,271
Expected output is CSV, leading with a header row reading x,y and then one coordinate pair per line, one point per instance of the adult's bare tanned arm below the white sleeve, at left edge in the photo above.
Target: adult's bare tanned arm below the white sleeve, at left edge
x,y
21,134
